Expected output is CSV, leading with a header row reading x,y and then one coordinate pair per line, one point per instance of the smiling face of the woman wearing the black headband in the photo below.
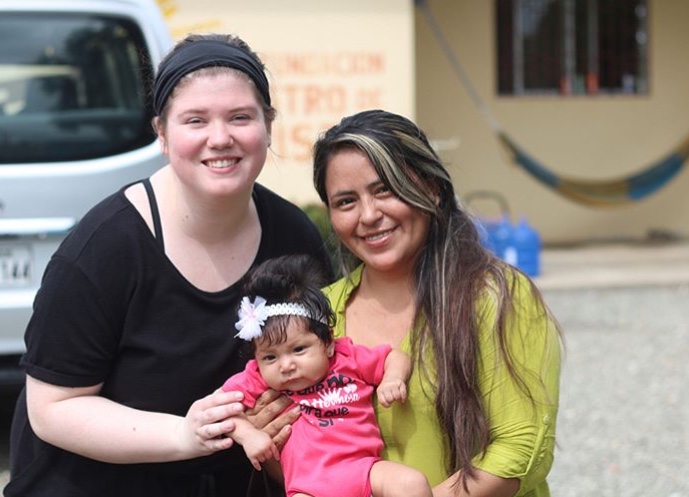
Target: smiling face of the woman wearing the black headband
x,y
215,134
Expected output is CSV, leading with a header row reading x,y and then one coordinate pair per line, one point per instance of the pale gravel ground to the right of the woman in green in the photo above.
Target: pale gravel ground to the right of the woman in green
x,y
623,427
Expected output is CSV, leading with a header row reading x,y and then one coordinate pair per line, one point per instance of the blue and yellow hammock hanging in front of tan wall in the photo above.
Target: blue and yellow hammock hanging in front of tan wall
x,y
594,193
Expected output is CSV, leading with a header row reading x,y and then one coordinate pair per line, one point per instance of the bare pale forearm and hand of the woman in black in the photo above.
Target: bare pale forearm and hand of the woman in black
x,y
81,421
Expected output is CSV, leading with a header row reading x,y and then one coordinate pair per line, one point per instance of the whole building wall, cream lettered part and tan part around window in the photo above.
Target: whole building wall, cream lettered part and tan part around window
x,y
327,59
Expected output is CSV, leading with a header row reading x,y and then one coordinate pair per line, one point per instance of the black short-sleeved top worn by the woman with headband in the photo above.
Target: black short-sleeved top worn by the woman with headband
x,y
113,309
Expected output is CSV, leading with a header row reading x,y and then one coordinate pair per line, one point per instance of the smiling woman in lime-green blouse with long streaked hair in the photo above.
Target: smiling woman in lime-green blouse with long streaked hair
x,y
483,398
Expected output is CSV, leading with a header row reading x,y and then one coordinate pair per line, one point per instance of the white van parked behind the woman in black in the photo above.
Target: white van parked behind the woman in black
x,y
74,127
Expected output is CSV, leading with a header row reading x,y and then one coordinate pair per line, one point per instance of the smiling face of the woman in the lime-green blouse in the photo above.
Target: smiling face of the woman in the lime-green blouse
x,y
386,233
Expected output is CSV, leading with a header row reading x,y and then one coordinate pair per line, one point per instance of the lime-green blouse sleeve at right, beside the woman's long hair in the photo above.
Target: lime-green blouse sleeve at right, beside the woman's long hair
x,y
522,430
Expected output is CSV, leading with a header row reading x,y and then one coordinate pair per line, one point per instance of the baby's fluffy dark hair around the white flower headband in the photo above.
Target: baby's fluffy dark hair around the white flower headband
x,y
292,279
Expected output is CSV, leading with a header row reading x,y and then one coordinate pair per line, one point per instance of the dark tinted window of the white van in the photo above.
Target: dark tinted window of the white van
x,y
72,87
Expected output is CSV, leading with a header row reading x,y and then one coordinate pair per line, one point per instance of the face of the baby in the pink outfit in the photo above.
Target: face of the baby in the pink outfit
x,y
301,361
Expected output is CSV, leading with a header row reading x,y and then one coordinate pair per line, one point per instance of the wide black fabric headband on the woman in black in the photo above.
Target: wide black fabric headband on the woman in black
x,y
205,53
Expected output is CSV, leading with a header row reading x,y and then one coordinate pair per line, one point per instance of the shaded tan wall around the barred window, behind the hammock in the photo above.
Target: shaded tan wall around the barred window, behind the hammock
x,y
590,137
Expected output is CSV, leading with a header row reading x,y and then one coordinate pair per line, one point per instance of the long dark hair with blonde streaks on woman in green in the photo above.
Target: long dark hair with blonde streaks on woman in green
x,y
452,274
